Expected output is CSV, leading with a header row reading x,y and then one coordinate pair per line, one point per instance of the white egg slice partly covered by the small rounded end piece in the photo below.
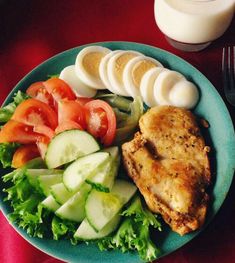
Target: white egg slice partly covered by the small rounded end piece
x,y
163,85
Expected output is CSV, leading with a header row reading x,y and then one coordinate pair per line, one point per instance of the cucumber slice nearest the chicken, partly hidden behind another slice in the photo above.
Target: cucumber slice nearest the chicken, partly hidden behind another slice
x,y
104,180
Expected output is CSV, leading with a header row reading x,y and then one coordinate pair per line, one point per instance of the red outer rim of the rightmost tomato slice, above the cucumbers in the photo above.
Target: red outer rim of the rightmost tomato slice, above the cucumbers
x,y
93,106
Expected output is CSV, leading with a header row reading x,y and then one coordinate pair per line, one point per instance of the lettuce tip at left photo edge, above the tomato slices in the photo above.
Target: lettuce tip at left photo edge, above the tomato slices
x,y
7,111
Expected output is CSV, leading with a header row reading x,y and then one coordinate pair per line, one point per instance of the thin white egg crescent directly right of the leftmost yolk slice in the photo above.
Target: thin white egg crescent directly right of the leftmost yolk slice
x,y
103,70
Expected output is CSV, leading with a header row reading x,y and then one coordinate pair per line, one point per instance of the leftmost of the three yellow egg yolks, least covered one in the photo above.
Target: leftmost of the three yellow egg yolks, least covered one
x,y
91,62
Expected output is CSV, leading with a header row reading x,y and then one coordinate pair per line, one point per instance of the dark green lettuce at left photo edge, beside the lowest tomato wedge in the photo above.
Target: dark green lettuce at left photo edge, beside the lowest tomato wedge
x,y
6,153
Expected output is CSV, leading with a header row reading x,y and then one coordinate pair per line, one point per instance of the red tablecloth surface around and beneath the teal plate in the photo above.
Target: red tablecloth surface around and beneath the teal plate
x,y
32,31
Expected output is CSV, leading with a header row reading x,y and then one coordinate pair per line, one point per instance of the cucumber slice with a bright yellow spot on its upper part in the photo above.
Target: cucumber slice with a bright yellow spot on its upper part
x,y
101,208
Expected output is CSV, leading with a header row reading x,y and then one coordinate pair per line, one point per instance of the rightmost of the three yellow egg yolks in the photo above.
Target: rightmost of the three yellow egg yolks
x,y
139,69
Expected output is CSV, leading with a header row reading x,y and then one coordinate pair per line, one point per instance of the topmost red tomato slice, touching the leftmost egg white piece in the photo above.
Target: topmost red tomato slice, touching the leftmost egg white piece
x,y
59,89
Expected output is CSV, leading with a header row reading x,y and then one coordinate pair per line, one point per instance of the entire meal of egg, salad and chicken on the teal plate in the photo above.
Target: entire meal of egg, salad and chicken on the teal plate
x,y
74,189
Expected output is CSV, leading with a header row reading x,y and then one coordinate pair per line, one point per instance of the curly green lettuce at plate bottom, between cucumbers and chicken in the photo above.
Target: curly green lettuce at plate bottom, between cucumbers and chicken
x,y
134,232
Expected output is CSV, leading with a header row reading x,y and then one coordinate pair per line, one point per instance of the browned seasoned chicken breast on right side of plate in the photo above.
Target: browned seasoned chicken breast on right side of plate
x,y
168,161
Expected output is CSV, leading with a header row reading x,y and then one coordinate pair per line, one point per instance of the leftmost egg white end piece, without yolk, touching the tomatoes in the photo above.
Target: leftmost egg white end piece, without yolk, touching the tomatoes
x,y
80,89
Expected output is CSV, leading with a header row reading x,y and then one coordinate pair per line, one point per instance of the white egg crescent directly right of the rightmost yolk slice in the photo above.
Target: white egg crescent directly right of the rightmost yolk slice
x,y
147,84
